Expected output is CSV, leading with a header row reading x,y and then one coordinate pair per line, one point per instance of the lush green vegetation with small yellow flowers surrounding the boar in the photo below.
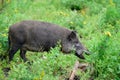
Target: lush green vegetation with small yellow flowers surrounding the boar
x,y
96,21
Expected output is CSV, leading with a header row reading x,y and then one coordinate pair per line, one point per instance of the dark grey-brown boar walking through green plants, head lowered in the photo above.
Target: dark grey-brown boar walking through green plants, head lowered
x,y
41,36
